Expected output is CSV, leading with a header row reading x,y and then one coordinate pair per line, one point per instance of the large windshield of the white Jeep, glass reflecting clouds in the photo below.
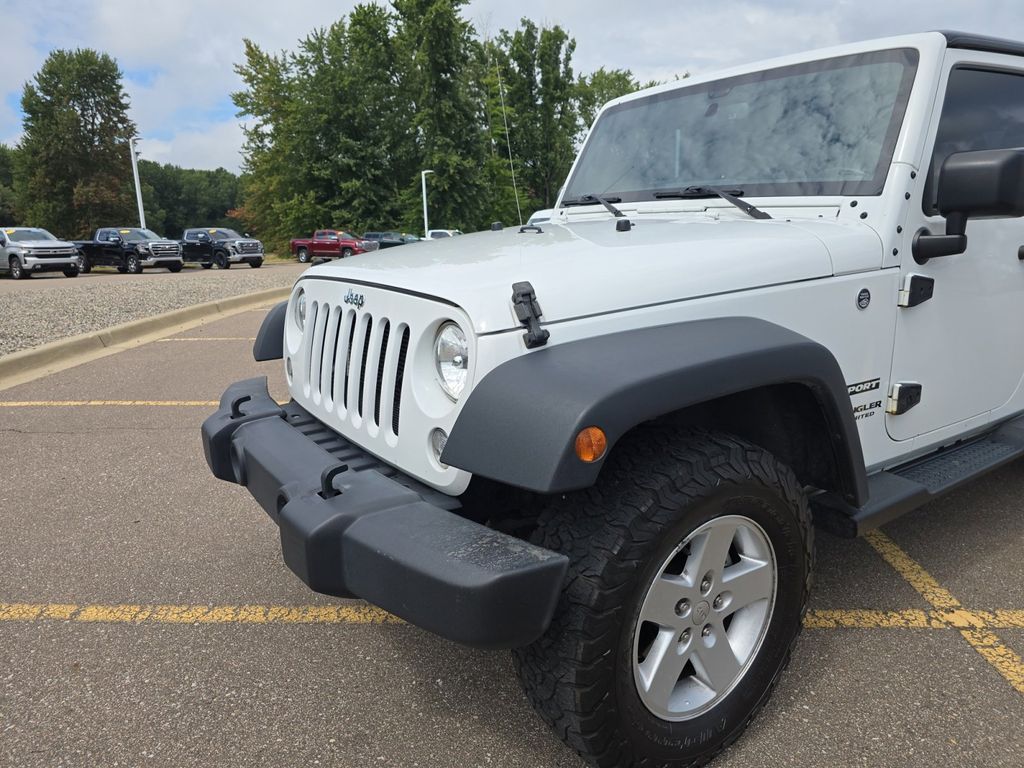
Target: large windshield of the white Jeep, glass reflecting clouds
x,y
826,127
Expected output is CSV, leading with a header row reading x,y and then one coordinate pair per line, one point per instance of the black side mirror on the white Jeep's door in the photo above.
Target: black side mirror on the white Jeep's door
x,y
985,184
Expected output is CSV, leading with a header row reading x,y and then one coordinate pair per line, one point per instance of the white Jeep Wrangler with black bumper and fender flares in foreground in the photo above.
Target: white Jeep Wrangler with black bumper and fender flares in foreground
x,y
791,286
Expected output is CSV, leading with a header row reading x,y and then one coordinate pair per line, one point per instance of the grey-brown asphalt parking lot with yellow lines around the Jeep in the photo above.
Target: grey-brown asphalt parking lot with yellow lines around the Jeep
x,y
147,618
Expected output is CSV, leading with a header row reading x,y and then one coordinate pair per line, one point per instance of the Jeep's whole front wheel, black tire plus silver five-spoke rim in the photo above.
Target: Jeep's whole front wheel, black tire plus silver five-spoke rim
x,y
690,572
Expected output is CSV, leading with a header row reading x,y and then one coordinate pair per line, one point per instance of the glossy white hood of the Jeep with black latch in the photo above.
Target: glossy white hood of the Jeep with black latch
x,y
587,268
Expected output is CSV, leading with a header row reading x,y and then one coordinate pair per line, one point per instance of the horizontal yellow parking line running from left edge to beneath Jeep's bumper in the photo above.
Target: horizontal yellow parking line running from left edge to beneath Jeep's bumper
x,y
131,614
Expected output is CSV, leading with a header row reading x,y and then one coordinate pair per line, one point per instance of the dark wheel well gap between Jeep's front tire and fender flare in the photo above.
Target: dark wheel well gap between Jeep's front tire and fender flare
x,y
785,419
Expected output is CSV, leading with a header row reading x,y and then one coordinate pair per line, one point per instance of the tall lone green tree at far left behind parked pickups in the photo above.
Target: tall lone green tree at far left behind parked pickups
x,y
73,168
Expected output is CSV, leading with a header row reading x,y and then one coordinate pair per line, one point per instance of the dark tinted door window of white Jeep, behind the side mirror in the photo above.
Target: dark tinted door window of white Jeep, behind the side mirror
x,y
984,110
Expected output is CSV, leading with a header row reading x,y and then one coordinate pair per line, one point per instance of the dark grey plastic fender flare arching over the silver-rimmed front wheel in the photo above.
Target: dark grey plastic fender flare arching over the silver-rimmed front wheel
x,y
520,424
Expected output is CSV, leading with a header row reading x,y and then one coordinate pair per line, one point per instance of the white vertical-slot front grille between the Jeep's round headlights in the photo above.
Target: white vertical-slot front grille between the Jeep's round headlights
x,y
357,364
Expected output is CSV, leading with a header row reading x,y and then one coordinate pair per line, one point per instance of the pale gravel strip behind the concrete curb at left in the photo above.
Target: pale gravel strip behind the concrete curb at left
x,y
46,310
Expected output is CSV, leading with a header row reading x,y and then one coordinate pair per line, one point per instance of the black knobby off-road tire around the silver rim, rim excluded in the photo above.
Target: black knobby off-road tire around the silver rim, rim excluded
x,y
659,486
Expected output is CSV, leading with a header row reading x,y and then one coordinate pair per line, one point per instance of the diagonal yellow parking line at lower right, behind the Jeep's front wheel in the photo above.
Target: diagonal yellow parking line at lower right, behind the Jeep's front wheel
x,y
1005,661
